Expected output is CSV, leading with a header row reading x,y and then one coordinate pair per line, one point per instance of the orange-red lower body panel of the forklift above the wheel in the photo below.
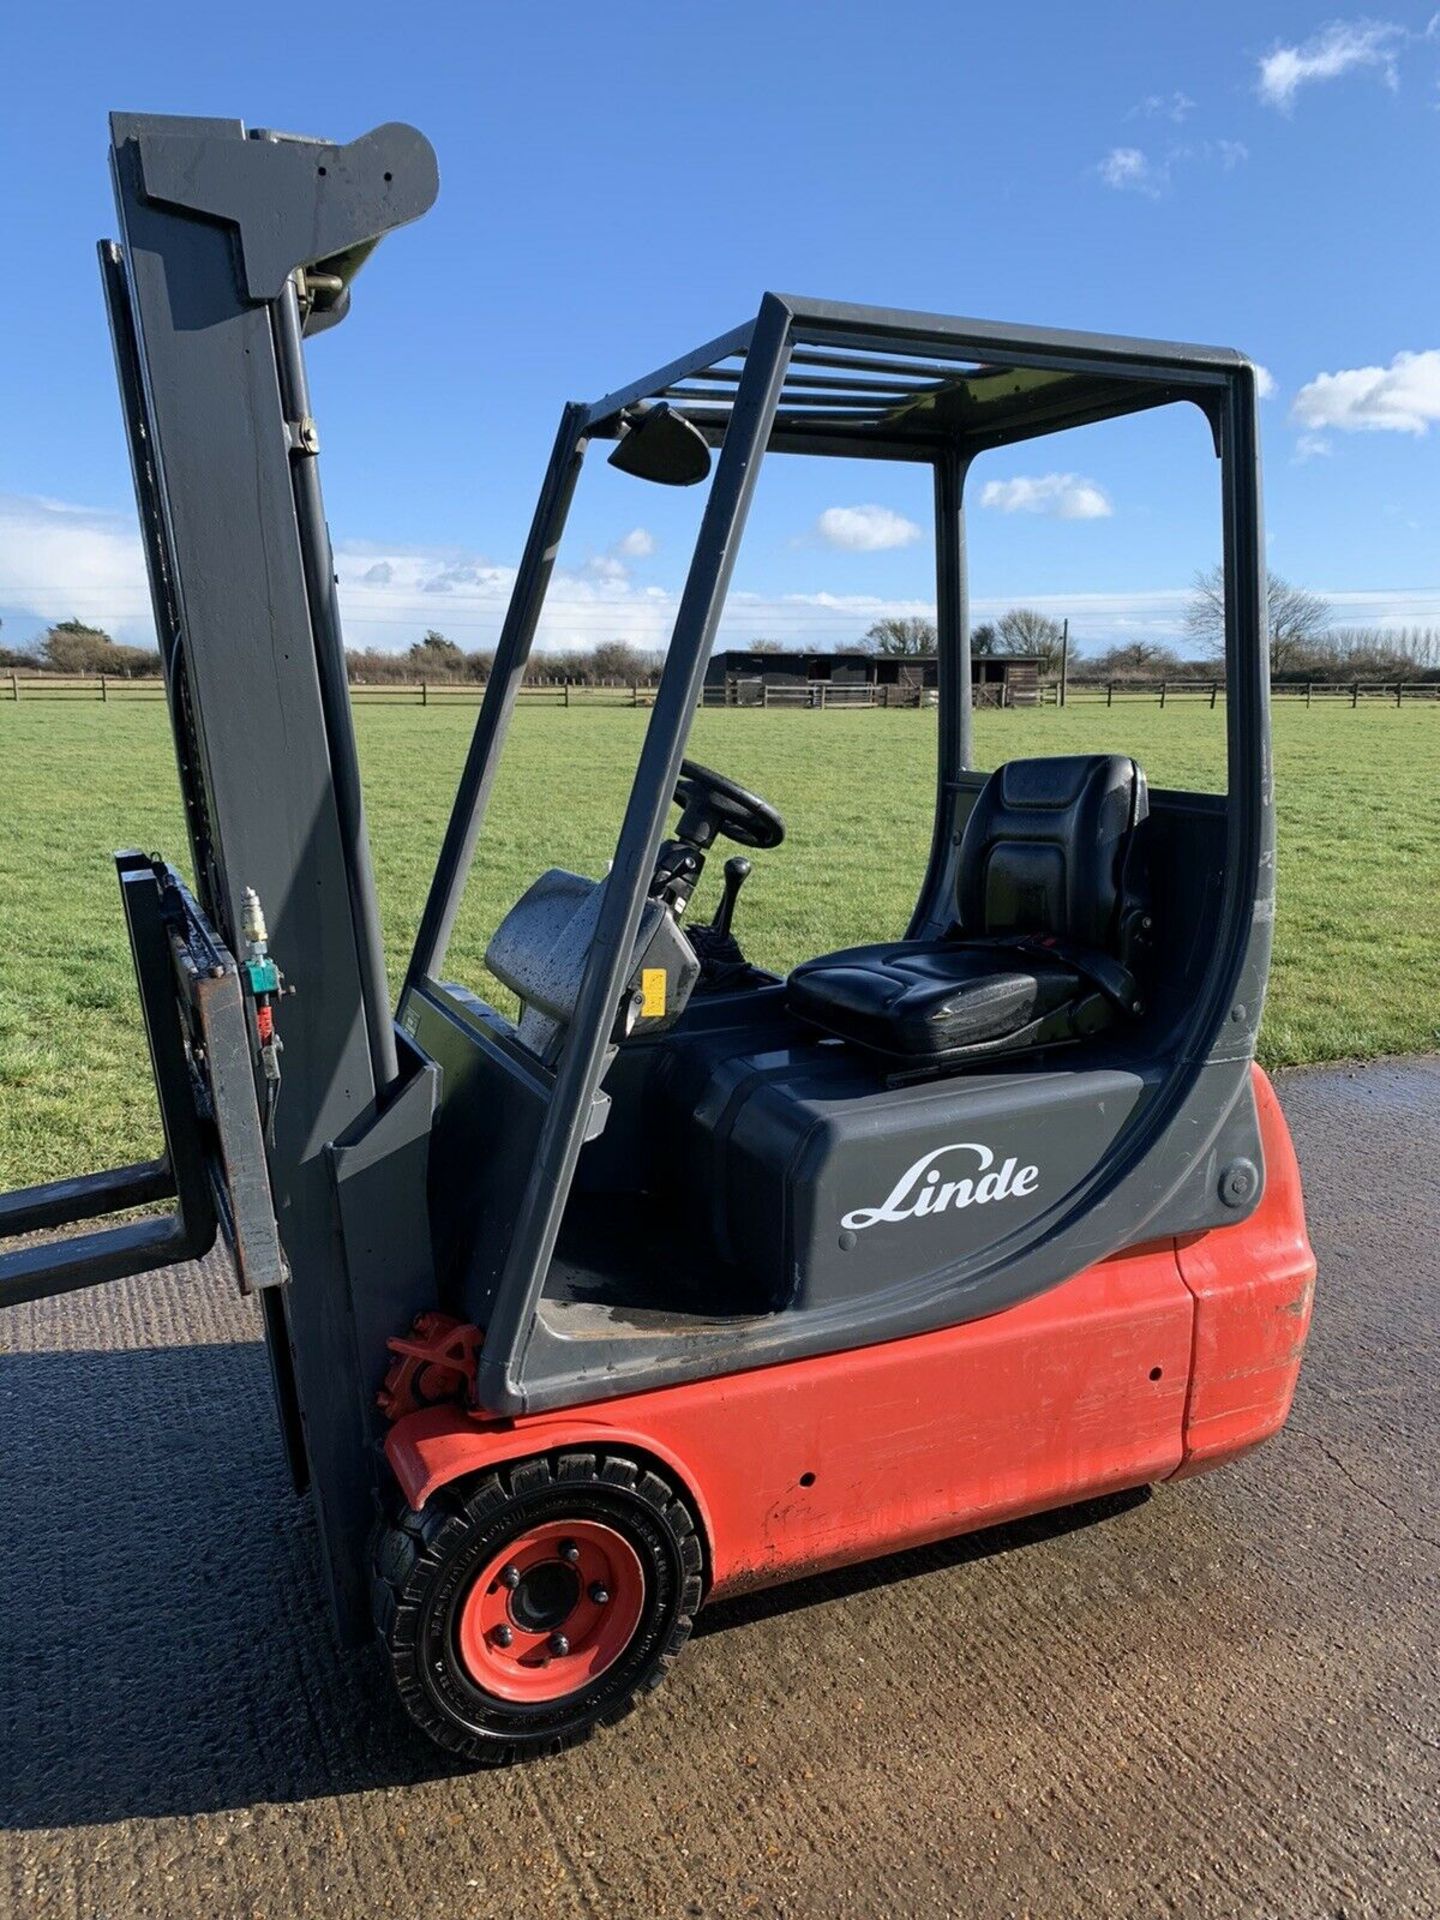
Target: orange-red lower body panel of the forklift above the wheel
x,y
1155,1364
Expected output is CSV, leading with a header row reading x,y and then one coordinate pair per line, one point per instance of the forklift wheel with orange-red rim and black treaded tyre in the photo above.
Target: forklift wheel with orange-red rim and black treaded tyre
x,y
535,1604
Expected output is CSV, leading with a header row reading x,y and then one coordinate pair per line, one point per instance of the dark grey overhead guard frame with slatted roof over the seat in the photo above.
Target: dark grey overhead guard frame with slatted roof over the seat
x,y
1080,379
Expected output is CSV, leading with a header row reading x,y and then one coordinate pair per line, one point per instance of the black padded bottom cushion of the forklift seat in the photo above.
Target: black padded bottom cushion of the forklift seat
x,y
926,999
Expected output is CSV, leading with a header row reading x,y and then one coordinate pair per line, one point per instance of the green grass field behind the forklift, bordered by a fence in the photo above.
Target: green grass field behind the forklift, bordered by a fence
x,y
1356,969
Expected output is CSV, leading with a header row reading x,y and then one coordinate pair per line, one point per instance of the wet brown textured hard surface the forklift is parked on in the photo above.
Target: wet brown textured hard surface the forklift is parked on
x,y
1222,1702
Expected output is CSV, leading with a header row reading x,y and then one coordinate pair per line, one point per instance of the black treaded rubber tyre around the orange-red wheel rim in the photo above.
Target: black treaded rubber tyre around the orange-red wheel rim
x,y
427,1566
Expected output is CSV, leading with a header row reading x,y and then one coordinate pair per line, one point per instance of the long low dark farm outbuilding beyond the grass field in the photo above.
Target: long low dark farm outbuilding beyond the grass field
x,y
750,679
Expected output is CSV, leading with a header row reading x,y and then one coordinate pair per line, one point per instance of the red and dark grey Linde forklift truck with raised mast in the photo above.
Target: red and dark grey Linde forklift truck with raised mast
x,y
690,1278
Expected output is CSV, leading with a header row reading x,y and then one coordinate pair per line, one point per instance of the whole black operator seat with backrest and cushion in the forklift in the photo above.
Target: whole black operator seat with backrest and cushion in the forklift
x,y
1051,911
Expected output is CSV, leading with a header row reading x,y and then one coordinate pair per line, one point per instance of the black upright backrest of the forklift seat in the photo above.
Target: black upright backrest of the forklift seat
x,y
1049,850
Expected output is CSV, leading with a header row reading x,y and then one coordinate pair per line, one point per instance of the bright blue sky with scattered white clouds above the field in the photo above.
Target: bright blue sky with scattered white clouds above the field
x,y
623,181
